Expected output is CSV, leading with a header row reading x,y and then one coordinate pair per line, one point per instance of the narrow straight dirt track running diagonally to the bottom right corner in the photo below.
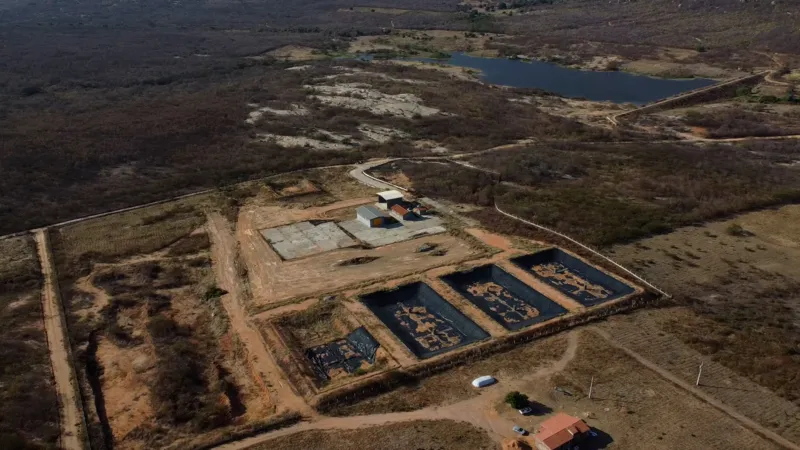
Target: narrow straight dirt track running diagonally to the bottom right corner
x,y
753,426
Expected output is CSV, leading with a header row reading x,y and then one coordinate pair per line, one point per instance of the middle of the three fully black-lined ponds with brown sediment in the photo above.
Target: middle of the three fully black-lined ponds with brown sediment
x,y
507,300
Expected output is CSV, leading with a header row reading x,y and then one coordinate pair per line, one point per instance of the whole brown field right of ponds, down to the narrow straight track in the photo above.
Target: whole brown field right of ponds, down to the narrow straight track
x,y
736,291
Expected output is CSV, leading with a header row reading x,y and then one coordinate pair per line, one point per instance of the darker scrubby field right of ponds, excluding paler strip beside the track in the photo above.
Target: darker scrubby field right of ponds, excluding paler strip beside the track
x,y
736,284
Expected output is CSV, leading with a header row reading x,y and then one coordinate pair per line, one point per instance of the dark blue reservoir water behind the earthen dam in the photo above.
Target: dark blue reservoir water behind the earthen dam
x,y
618,87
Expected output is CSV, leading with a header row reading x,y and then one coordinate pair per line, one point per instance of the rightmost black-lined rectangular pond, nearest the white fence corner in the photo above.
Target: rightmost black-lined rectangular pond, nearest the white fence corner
x,y
578,280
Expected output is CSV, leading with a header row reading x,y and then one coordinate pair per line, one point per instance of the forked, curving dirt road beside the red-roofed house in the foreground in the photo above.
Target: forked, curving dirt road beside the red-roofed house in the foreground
x,y
478,411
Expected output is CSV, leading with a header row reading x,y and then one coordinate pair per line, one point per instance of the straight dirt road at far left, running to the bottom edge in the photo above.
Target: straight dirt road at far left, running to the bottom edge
x,y
60,354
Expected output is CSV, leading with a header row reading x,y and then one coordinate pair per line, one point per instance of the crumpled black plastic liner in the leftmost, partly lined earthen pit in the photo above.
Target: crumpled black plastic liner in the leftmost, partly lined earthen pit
x,y
348,354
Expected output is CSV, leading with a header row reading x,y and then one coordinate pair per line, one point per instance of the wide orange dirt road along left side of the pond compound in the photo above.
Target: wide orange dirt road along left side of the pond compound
x,y
224,250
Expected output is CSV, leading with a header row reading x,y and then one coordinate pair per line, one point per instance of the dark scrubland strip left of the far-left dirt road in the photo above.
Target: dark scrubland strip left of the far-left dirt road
x,y
29,416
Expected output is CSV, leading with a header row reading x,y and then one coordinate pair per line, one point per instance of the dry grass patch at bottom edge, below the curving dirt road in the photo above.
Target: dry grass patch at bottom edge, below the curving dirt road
x,y
440,435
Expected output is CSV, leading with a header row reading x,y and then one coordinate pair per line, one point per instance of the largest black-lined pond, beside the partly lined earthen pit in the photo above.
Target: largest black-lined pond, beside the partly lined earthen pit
x,y
424,321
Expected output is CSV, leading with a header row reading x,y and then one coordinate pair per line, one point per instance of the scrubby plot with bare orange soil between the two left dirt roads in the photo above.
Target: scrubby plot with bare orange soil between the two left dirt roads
x,y
157,363
